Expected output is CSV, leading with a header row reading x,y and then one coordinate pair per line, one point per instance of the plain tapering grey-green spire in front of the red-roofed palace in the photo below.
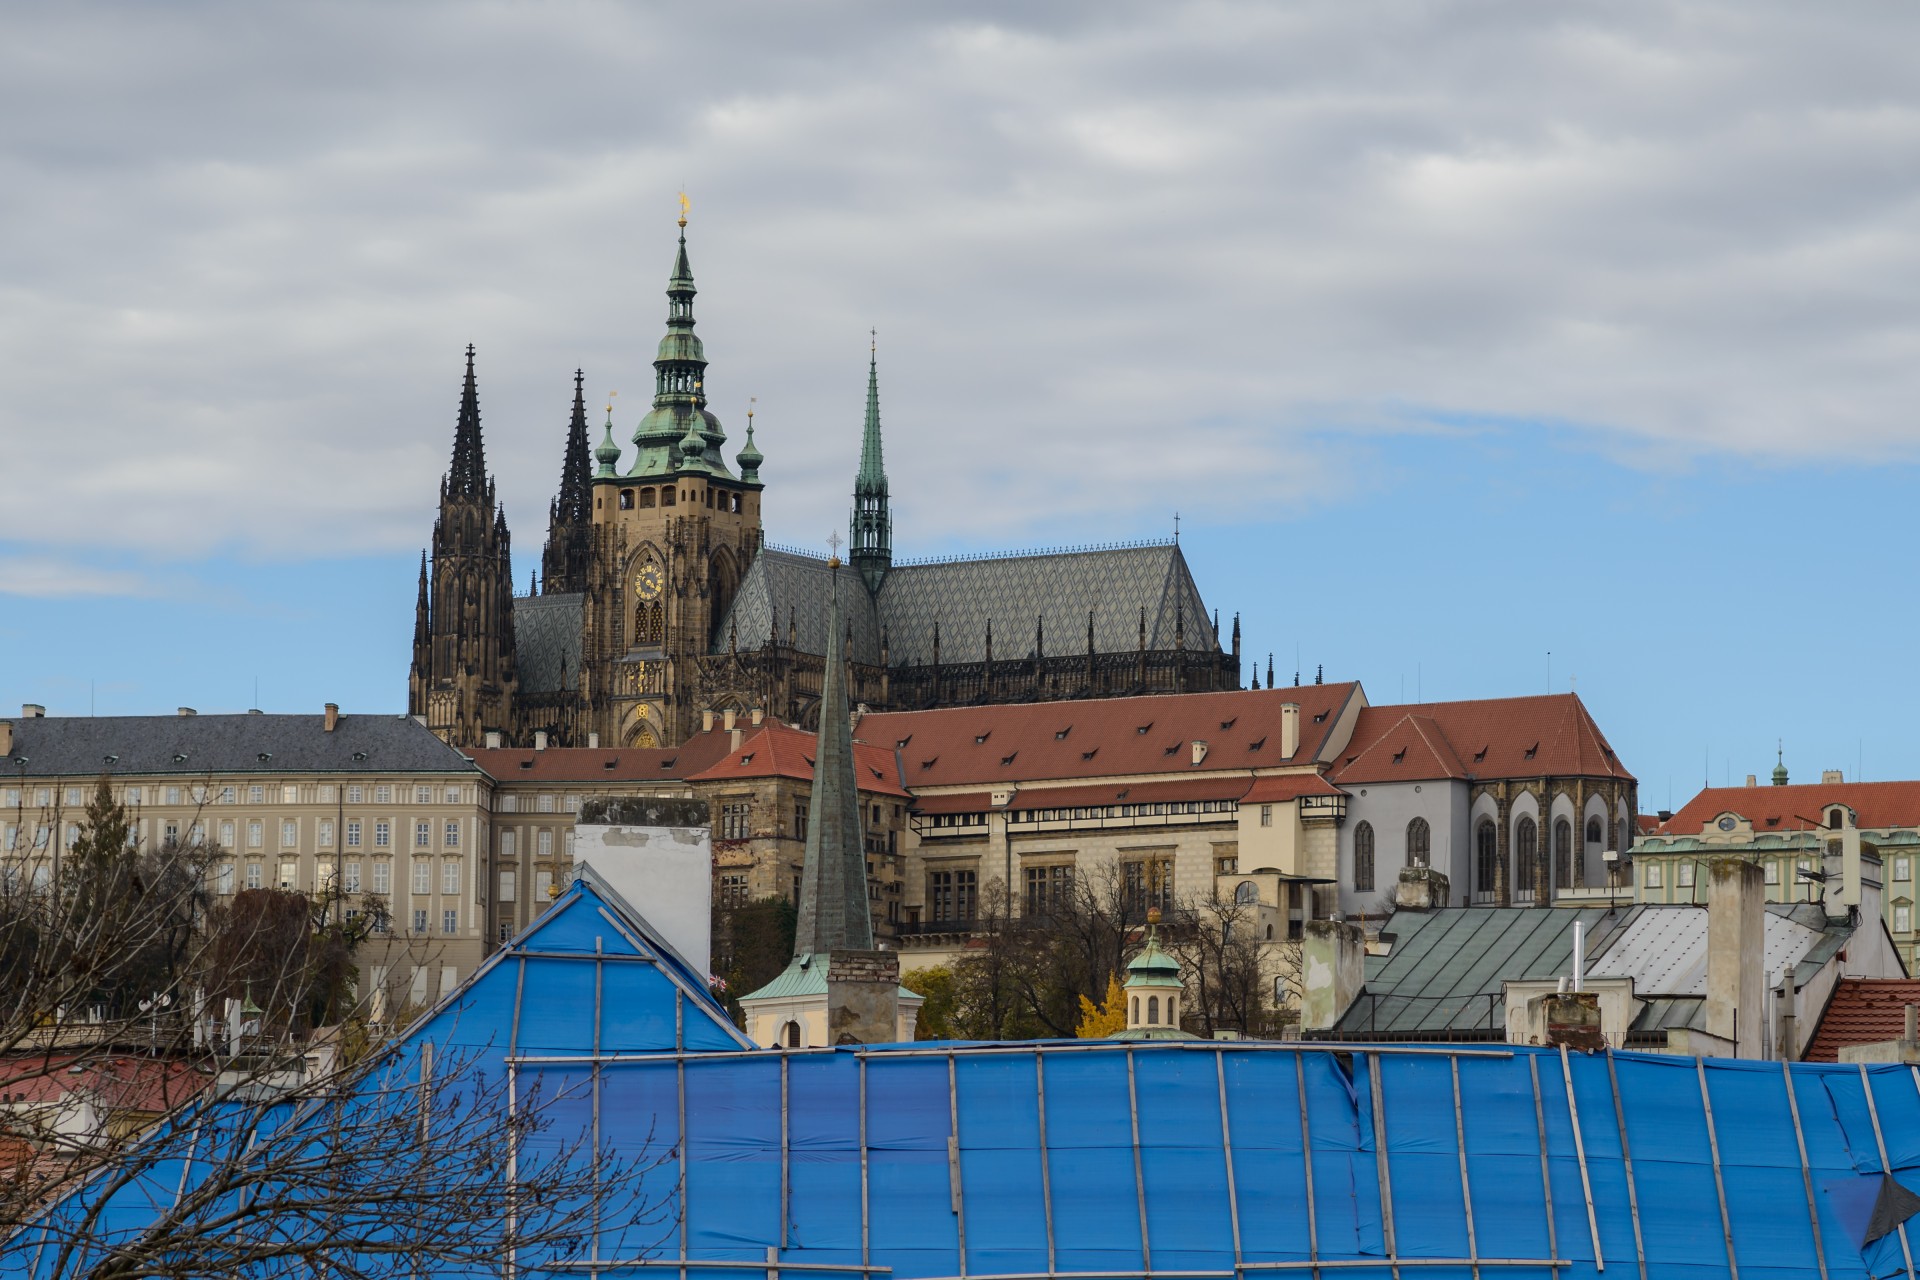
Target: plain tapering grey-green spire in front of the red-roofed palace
x,y
834,914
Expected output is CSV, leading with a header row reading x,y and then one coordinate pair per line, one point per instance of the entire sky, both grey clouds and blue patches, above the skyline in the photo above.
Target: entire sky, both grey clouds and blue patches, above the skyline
x,y
1460,335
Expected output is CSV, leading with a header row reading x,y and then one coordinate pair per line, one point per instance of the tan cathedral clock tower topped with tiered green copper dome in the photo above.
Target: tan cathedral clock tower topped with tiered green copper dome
x,y
673,538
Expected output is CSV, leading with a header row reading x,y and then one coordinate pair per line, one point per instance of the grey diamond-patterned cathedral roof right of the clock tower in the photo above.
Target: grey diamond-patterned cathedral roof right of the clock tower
x,y
965,596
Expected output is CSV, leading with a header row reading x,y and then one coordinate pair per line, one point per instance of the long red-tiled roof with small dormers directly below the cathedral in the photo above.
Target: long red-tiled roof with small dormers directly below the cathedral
x,y
1105,738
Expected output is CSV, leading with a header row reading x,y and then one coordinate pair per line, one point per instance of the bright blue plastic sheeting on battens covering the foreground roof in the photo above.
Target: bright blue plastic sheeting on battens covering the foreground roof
x,y
1184,1160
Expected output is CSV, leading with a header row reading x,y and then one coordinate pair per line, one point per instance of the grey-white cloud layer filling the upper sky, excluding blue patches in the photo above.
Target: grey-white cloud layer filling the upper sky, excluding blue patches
x,y
1122,256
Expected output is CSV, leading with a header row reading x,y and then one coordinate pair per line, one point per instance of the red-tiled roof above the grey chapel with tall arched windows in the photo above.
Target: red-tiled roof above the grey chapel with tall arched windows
x,y
1545,736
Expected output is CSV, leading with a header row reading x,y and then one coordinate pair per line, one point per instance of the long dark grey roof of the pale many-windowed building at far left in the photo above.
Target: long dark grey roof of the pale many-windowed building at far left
x,y
203,746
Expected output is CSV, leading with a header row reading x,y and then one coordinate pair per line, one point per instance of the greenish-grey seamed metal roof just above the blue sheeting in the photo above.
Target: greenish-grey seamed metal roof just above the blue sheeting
x,y
1447,968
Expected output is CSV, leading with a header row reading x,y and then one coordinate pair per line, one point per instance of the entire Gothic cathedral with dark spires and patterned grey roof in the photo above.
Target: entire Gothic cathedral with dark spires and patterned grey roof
x,y
660,598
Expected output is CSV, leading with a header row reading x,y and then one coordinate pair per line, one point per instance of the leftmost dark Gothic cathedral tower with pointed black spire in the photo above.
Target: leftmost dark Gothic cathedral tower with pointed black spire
x,y
464,653
